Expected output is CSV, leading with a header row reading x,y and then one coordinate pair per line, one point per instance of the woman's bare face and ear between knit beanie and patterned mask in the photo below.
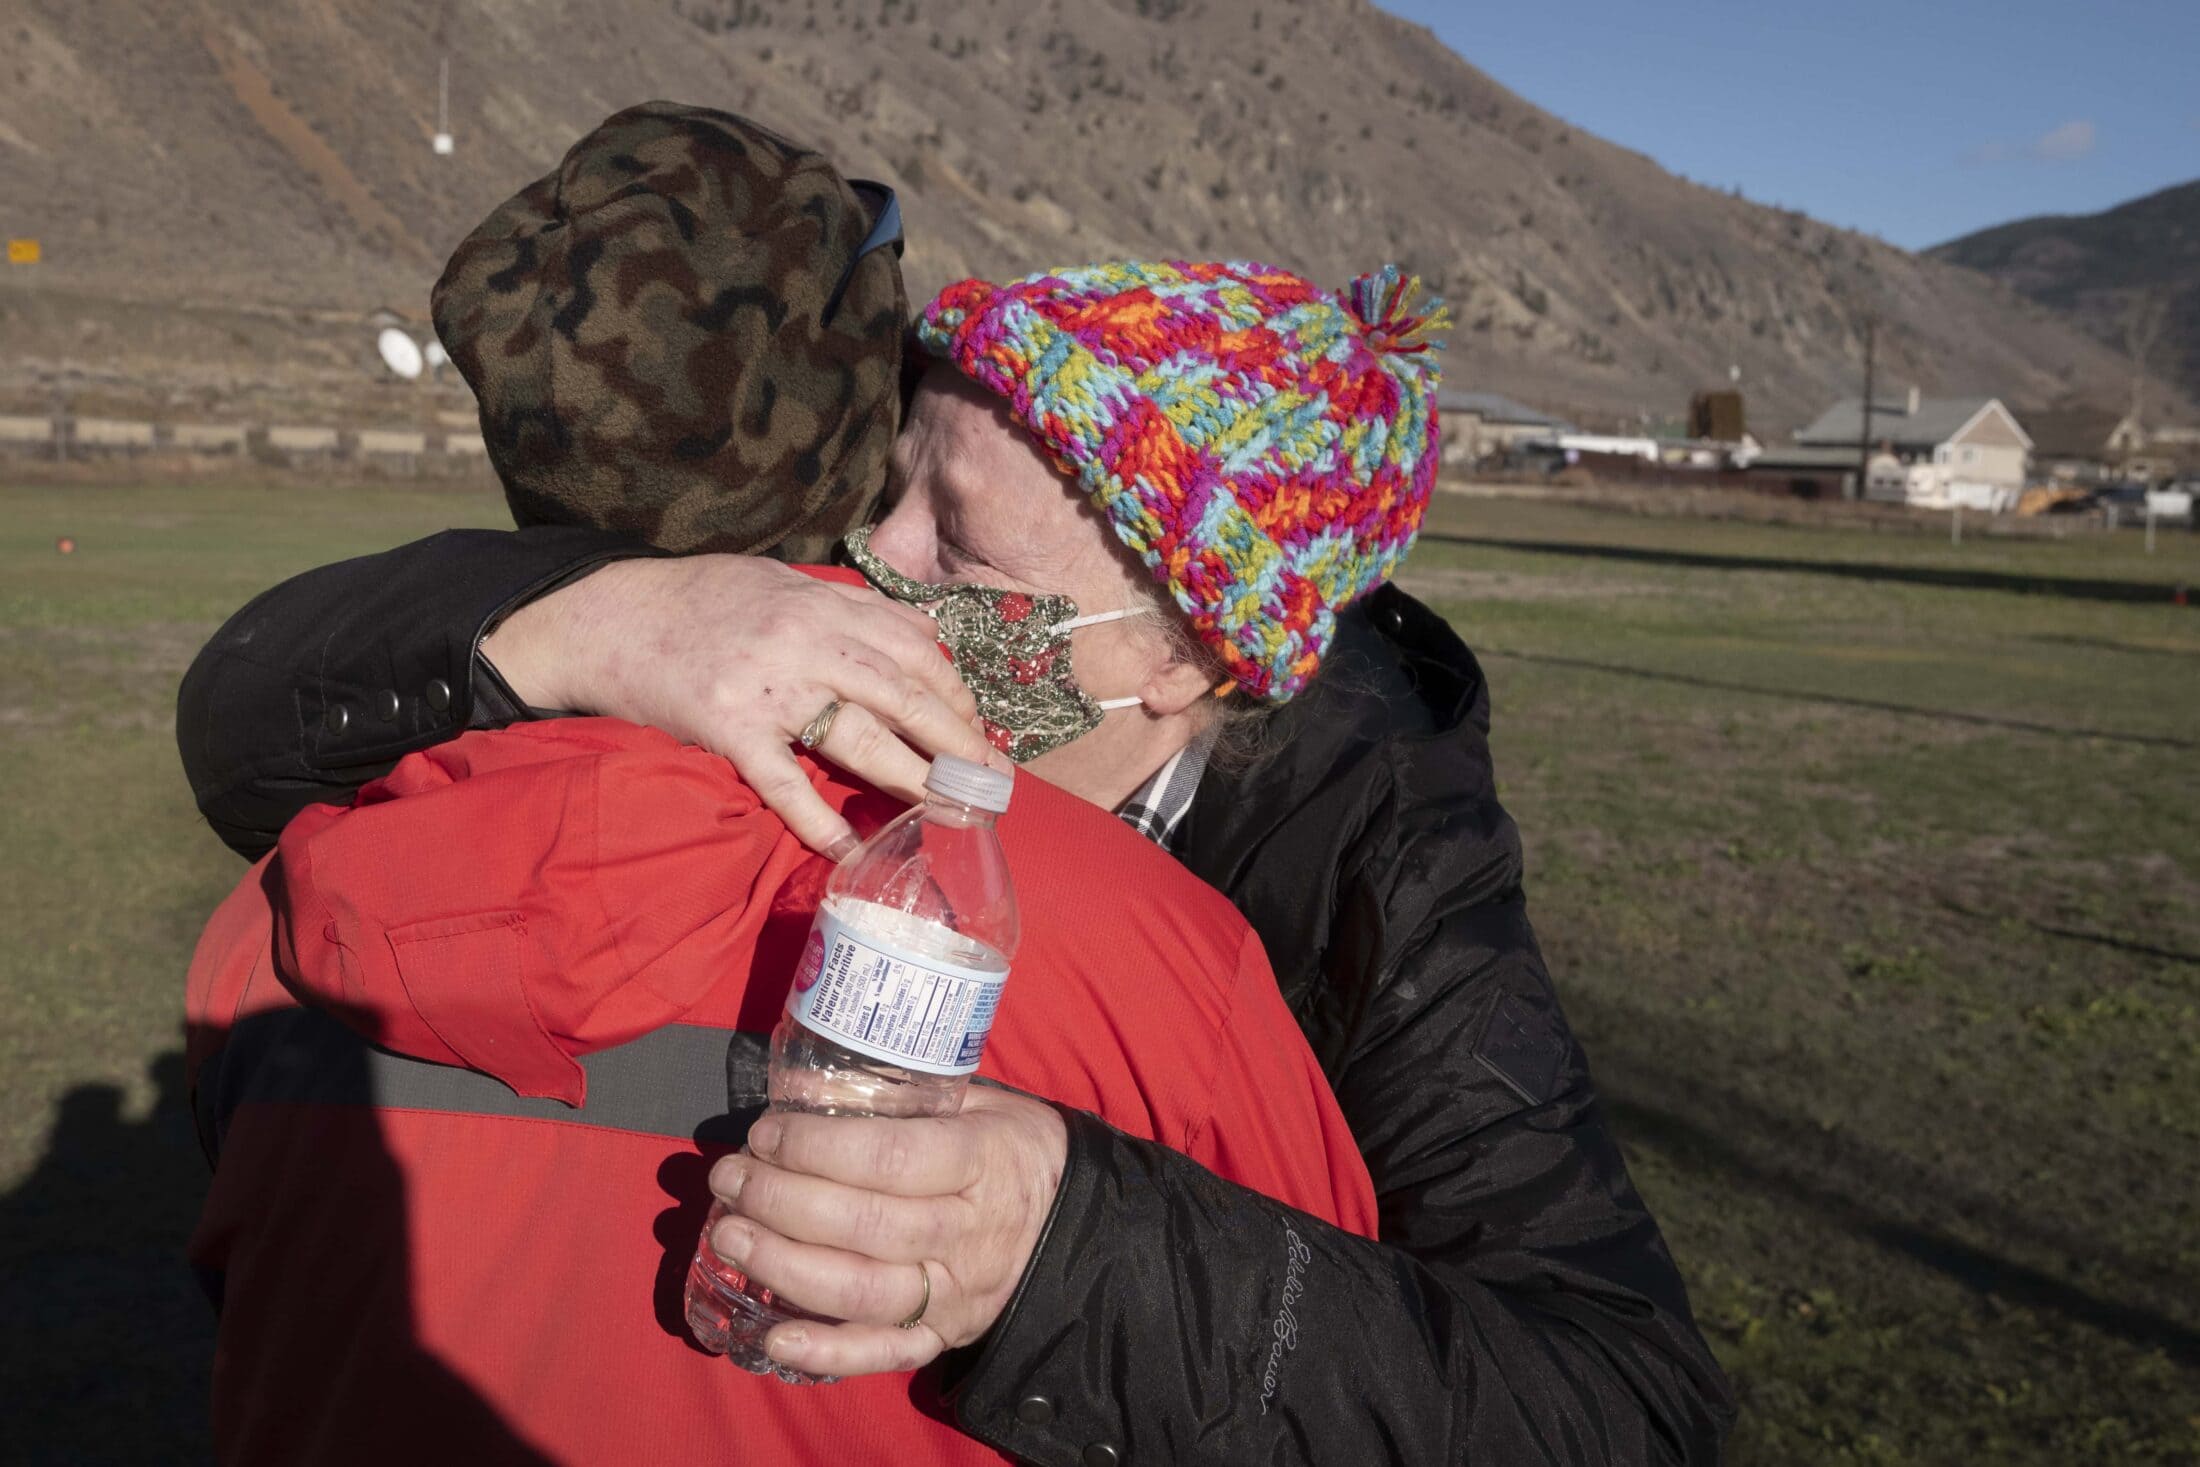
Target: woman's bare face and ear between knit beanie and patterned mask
x,y
973,500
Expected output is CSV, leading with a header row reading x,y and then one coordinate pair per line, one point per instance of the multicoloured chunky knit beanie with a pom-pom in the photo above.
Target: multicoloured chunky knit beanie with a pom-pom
x,y
1264,445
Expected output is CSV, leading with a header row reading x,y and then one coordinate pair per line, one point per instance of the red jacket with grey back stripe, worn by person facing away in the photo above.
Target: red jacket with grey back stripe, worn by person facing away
x,y
419,1264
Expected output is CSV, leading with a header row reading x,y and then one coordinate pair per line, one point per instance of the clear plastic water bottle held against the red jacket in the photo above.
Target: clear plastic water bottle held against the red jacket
x,y
890,1006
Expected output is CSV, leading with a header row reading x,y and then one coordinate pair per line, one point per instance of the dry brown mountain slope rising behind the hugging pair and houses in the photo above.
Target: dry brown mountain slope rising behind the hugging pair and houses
x,y
197,155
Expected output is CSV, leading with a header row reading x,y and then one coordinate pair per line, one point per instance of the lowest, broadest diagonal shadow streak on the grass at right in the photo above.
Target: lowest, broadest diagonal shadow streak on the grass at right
x,y
1836,1193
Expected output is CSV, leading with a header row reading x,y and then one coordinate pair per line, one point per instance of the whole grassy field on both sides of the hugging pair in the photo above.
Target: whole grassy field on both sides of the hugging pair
x,y
1867,865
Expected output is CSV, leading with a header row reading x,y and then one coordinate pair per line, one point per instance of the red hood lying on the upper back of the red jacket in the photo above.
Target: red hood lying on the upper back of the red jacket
x,y
516,898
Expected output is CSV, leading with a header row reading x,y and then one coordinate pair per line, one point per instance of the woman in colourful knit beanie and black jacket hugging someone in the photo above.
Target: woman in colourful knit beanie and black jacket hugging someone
x,y
1521,1305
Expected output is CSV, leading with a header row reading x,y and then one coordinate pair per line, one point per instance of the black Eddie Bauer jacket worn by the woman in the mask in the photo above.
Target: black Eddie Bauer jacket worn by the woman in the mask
x,y
1519,1308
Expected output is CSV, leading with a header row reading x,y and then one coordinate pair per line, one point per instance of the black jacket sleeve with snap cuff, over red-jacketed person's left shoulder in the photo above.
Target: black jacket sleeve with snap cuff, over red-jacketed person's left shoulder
x,y
333,676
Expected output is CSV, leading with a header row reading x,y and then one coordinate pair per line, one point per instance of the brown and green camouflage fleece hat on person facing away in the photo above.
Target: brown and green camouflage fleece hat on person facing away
x,y
676,335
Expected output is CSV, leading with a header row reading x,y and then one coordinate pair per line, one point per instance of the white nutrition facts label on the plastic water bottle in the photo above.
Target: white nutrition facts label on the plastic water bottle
x,y
907,1011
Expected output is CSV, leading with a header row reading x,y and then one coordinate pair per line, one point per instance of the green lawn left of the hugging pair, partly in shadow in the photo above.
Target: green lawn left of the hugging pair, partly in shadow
x,y
104,879
